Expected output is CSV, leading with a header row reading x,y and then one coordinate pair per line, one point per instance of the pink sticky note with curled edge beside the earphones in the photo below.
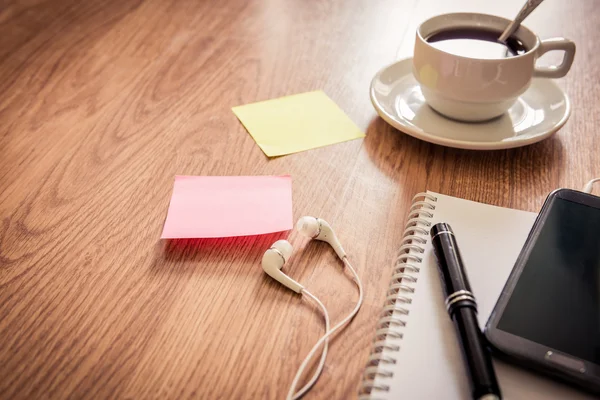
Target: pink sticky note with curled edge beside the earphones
x,y
223,206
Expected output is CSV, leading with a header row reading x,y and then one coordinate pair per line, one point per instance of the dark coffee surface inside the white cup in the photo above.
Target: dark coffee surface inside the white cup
x,y
476,43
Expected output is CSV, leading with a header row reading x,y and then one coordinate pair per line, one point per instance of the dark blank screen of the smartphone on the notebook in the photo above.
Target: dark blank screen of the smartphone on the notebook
x,y
556,301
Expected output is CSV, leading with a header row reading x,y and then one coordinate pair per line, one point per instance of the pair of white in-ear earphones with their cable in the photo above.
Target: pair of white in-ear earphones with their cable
x,y
273,261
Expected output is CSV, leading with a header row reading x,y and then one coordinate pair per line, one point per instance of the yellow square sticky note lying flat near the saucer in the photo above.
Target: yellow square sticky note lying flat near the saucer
x,y
296,123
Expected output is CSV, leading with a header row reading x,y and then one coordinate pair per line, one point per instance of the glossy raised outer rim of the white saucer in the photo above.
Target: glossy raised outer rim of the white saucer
x,y
421,134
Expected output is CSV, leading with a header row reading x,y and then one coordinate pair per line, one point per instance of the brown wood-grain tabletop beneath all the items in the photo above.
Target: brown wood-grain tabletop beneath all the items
x,y
103,102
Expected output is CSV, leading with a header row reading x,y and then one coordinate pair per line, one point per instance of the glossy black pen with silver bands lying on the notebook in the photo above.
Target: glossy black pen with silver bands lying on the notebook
x,y
462,308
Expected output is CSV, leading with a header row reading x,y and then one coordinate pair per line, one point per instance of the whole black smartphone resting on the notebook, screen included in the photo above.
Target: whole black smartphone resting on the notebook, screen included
x,y
548,315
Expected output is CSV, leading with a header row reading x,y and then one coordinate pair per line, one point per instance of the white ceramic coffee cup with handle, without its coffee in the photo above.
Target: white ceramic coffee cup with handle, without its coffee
x,y
473,89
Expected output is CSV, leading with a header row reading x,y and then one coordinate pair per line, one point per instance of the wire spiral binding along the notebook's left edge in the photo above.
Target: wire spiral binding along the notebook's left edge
x,y
399,294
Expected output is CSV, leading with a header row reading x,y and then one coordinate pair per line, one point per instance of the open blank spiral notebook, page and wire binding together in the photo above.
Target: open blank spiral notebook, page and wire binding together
x,y
415,354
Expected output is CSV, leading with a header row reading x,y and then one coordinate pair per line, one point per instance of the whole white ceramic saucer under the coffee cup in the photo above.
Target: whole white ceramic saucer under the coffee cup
x,y
538,113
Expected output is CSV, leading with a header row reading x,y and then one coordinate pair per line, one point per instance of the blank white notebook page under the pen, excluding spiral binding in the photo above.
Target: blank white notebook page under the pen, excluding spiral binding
x,y
429,364
